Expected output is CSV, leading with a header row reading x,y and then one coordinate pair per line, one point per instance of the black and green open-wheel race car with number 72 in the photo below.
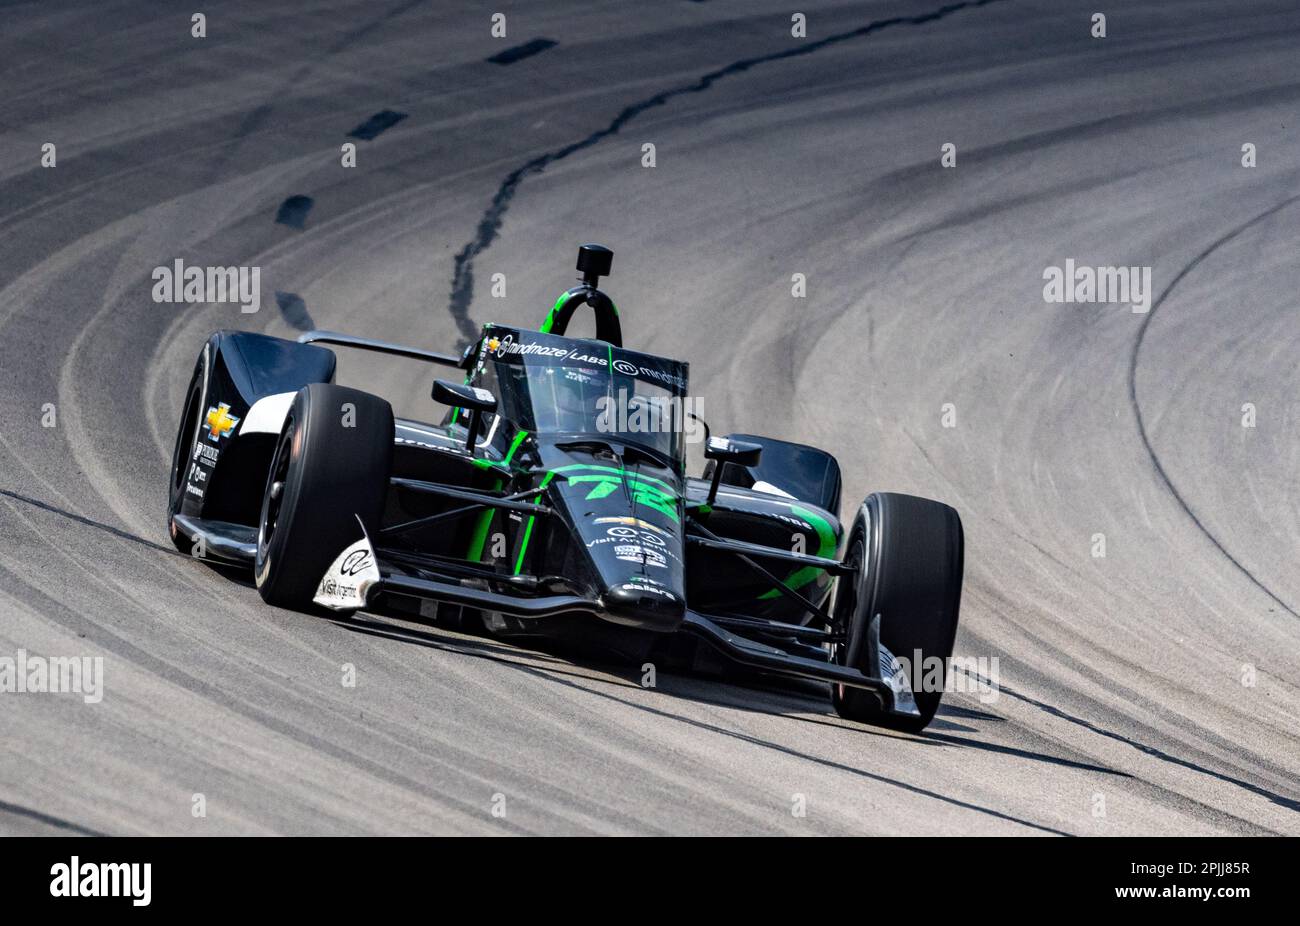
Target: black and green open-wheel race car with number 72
x,y
554,494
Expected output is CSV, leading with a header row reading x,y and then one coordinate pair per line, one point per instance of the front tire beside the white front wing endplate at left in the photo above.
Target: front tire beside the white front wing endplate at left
x,y
331,468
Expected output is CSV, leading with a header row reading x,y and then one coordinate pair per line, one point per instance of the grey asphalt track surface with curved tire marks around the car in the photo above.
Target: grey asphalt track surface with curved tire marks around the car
x,y
1123,706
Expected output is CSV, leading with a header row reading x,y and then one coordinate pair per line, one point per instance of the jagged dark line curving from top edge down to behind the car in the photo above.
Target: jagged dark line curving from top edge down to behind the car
x,y
489,226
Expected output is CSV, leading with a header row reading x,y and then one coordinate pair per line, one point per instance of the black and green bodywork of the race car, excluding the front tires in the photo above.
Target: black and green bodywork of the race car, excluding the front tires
x,y
492,514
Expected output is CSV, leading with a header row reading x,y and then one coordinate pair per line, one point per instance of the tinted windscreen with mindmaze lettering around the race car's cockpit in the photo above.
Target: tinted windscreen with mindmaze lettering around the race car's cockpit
x,y
554,386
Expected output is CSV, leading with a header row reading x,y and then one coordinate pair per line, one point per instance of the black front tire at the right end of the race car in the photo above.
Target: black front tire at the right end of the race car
x,y
911,555
